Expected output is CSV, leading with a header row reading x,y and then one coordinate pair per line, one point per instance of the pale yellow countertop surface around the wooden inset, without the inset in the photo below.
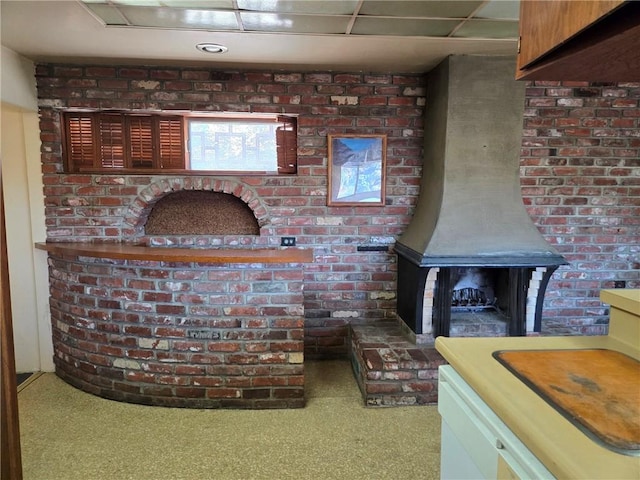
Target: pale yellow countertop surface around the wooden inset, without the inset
x,y
565,450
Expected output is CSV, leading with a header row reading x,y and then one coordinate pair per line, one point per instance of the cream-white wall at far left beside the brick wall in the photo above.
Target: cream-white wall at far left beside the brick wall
x,y
24,211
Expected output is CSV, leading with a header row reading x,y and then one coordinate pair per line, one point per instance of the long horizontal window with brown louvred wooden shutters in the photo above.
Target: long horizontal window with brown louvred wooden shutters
x,y
140,142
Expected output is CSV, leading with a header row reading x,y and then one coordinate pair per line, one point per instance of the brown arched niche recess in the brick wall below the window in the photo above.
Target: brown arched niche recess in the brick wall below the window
x,y
201,213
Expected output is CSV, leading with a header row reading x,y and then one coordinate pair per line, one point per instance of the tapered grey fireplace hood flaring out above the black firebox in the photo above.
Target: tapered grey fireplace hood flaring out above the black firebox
x,y
470,210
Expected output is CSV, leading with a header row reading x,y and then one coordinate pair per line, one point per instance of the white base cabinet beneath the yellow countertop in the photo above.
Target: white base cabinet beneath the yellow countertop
x,y
475,442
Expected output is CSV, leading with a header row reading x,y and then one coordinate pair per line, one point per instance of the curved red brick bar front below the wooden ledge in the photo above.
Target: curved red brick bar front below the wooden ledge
x,y
180,334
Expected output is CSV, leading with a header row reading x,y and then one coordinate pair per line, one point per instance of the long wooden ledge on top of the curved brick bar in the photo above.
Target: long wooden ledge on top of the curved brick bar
x,y
166,254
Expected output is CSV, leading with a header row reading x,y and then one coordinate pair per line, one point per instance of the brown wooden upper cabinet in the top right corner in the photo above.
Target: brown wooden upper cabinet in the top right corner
x,y
579,40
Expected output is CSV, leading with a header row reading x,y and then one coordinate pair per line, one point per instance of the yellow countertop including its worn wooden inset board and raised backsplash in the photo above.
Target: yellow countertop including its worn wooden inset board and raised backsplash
x,y
518,390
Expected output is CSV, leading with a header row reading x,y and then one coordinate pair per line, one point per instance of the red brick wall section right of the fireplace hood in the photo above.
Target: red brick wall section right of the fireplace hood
x,y
580,176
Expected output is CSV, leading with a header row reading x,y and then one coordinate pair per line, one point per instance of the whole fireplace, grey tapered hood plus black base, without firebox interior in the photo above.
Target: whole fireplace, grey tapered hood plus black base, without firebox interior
x,y
470,215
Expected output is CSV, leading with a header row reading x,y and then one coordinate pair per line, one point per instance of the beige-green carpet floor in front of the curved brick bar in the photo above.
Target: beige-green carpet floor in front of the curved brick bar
x,y
68,434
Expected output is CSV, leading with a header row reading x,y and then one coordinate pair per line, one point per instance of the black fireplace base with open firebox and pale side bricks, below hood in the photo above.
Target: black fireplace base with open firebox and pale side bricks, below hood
x,y
500,299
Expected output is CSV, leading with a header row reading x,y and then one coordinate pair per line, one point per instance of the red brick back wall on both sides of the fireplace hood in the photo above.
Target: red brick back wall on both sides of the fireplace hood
x,y
579,175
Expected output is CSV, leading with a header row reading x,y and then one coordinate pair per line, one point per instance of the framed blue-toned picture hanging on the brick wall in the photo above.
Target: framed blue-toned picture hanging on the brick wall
x,y
356,169
